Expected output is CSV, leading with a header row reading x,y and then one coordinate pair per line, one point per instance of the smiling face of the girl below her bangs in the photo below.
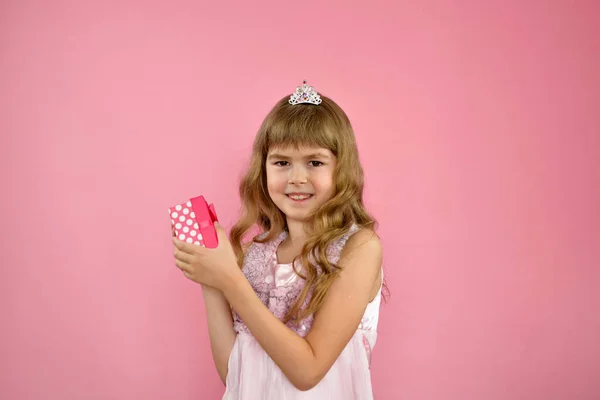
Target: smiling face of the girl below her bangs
x,y
300,180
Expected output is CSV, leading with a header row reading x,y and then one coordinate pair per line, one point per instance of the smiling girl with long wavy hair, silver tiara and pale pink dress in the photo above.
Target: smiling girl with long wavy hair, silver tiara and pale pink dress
x,y
298,320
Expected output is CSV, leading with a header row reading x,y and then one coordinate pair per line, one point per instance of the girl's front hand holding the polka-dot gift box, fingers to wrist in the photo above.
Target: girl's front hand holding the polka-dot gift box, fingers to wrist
x,y
211,267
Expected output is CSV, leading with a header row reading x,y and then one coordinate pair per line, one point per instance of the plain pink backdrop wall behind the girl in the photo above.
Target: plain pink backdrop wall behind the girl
x,y
478,125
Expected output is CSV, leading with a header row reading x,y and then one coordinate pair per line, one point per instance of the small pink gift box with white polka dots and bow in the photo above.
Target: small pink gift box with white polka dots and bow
x,y
193,222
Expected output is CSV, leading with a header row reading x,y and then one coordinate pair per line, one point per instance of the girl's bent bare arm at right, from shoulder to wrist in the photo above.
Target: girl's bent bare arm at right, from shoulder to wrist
x,y
305,361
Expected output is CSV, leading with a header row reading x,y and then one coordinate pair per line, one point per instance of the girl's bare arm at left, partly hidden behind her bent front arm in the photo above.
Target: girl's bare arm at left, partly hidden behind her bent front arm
x,y
220,328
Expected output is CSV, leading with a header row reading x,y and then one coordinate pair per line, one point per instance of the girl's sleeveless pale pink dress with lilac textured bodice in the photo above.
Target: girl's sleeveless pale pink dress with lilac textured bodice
x,y
253,375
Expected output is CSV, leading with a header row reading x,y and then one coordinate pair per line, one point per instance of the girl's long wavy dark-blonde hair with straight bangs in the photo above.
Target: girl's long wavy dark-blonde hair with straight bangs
x,y
325,126
